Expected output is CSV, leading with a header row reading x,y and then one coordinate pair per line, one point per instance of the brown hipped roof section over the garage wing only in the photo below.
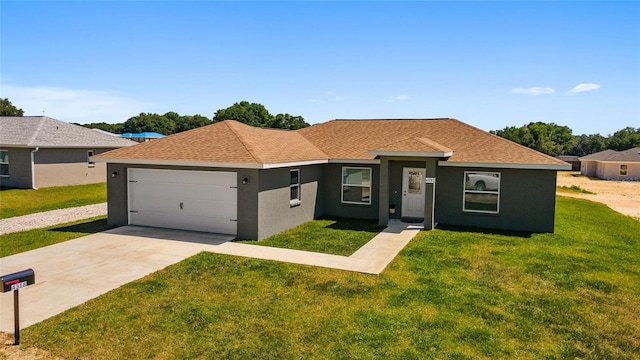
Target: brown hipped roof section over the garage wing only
x,y
224,142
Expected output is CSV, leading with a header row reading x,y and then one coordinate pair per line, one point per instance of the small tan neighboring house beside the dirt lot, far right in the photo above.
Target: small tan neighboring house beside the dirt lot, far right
x,y
612,165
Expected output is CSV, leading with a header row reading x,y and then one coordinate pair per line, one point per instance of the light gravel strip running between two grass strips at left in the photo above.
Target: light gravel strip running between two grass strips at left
x,y
51,218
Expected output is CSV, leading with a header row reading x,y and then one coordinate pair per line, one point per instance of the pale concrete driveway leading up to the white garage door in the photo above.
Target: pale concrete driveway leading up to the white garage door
x,y
70,273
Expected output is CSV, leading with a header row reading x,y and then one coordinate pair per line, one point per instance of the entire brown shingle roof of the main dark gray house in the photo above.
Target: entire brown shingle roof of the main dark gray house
x,y
233,142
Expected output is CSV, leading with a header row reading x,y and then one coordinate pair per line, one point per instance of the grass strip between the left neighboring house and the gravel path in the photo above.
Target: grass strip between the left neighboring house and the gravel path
x,y
16,202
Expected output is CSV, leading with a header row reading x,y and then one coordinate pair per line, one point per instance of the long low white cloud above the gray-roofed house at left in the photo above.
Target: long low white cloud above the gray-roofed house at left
x,y
74,105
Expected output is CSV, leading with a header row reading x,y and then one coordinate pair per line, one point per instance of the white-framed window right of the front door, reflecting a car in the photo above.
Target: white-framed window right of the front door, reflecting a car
x,y
481,192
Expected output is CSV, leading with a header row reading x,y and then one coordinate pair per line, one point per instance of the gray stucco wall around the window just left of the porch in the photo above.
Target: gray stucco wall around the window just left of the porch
x,y
332,192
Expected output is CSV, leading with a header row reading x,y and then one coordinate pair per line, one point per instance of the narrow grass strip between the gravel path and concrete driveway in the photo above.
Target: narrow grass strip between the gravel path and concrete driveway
x,y
18,242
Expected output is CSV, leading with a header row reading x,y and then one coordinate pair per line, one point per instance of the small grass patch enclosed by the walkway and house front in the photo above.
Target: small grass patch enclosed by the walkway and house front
x,y
332,236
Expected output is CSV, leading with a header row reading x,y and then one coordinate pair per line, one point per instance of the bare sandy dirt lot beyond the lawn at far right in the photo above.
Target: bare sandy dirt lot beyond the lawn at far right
x,y
621,196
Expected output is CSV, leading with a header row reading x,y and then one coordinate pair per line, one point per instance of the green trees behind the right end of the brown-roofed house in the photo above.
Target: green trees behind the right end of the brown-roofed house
x,y
555,140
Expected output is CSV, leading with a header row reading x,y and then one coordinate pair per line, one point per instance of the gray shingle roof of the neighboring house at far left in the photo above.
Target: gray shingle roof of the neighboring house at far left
x,y
45,132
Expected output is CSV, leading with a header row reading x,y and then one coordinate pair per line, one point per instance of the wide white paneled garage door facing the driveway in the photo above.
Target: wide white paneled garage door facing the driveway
x,y
187,200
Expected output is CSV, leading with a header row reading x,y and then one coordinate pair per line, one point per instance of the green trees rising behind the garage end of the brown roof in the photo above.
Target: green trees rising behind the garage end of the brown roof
x,y
253,114
